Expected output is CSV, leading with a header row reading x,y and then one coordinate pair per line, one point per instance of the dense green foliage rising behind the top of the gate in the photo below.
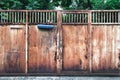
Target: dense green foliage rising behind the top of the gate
x,y
65,4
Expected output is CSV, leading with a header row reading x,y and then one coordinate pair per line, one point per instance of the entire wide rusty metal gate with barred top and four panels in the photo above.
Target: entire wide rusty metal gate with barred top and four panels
x,y
82,42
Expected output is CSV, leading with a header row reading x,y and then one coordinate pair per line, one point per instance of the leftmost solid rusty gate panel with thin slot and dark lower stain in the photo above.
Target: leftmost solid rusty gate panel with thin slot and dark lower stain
x,y
12,54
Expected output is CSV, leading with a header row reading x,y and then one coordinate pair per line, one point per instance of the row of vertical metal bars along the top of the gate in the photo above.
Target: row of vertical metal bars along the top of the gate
x,y
50,16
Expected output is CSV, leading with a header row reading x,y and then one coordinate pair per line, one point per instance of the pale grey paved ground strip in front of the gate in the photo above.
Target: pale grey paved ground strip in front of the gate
x,y
59,78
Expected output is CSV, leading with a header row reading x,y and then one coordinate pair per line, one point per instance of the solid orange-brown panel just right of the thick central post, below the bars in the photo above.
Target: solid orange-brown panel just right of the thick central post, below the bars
x,y
75,56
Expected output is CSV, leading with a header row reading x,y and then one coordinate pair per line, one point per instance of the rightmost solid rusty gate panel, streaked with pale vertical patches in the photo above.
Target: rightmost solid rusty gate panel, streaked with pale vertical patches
x,y
104,48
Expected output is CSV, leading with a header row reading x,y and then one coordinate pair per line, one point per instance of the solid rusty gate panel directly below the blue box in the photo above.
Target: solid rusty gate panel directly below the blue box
x,y
42,50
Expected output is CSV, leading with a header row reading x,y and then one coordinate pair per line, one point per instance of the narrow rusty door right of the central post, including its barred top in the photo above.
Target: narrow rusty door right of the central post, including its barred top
x,y
75,41
